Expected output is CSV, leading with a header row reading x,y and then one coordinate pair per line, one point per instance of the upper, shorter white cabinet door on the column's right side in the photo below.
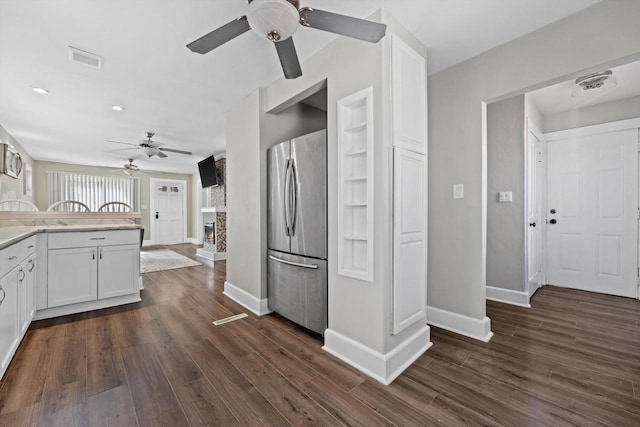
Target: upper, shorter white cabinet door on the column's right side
x,y
408,93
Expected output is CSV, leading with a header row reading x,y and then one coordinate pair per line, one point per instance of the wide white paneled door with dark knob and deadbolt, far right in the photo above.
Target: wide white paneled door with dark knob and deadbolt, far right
x,y
593,211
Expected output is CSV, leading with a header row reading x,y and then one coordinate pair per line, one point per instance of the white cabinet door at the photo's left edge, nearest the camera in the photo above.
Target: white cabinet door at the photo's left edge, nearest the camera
x,y
9,336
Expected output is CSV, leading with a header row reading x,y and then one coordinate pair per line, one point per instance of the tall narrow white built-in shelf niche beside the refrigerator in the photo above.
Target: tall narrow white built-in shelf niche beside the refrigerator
x,y
355,185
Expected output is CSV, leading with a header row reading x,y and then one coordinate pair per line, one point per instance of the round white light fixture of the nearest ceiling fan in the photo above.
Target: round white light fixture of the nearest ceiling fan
x,y
273,20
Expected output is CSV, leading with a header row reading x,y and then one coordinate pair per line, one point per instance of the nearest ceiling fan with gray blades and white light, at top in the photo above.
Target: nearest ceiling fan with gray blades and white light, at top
x,y
277,20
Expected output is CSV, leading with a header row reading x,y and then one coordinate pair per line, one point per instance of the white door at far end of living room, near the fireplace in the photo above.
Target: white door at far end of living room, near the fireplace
x,y
169,213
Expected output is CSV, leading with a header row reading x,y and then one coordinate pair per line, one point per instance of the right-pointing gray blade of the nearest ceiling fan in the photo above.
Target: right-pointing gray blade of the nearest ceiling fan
x,y
342,24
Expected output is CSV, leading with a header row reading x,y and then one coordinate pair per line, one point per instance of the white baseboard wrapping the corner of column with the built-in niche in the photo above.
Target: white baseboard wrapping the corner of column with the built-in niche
x,y
382,367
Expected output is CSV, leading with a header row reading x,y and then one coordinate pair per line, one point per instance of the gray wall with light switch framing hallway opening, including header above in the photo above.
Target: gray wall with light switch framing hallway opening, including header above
x,y
603,35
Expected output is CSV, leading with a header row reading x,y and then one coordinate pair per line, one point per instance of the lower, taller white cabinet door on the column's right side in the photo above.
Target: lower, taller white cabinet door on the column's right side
x,y
409,291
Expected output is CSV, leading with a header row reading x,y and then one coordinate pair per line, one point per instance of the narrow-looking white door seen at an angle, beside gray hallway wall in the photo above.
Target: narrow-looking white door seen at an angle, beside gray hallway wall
x,y
535,225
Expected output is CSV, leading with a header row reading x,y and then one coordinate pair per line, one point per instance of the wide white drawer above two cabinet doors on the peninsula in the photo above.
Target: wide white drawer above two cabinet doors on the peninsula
x,y
83,239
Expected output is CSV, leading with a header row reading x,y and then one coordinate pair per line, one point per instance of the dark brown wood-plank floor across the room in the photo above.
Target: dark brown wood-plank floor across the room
x,y
572,359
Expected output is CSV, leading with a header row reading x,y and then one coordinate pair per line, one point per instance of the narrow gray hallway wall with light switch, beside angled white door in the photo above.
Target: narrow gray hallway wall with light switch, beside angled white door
x,y
506,172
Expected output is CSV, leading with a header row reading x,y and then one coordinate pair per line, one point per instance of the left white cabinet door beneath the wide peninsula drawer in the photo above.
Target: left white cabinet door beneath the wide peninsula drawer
x,y
73,276
